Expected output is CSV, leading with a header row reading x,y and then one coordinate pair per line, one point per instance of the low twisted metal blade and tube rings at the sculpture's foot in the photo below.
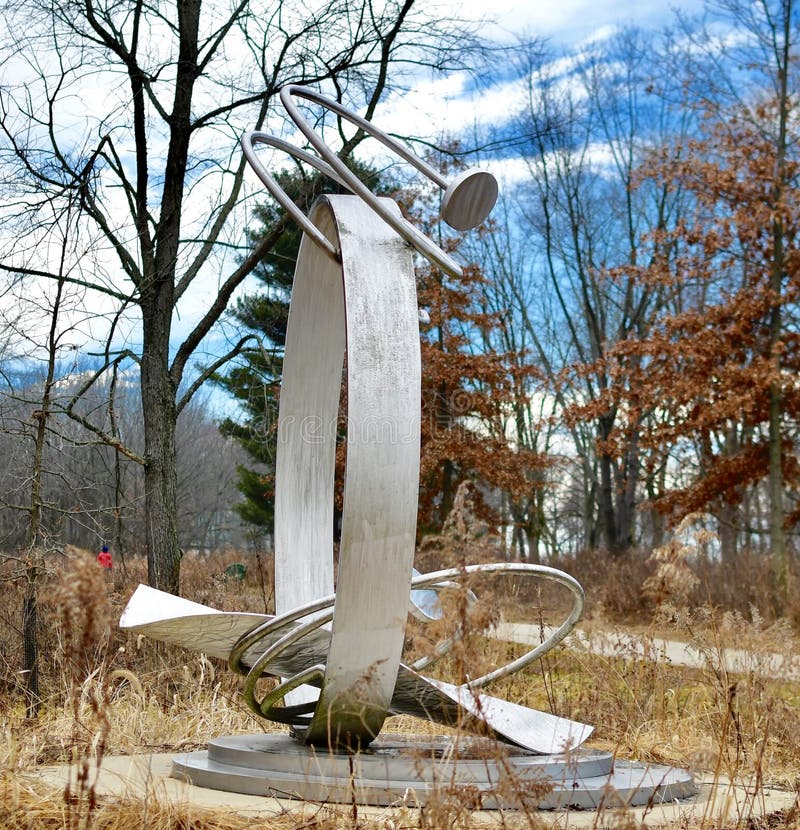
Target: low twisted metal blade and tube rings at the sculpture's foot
x,y
257,644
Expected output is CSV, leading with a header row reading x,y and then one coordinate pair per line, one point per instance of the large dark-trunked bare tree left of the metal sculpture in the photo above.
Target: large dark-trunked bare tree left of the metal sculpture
x,y
135,110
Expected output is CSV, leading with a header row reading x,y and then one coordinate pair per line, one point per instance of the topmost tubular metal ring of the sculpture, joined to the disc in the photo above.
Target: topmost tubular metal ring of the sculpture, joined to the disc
x,y
405,229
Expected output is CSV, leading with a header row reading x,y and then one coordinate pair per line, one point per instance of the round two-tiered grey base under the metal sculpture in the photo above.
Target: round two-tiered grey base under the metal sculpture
x,y
410,770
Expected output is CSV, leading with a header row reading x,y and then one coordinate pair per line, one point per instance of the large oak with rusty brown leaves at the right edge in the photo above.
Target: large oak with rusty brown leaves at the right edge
x,y
721,368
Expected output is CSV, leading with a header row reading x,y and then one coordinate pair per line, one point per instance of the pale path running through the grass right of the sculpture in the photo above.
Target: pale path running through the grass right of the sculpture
x,y
621,644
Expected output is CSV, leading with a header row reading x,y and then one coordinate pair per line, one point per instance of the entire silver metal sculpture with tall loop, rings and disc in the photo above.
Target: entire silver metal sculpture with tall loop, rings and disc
x,y
354,292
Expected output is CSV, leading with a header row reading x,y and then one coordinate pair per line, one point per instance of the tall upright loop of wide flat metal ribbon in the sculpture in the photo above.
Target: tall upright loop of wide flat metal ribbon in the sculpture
x,y
367,304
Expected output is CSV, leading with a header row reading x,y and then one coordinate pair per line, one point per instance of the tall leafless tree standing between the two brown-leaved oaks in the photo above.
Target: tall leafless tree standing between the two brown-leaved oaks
x,y
587,130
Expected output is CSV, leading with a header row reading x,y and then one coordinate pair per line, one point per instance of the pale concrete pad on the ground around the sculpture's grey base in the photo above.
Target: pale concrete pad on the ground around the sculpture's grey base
x,y
148,776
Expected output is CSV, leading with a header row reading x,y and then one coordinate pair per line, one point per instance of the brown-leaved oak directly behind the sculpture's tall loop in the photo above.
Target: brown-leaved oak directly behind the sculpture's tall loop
x,y
470,397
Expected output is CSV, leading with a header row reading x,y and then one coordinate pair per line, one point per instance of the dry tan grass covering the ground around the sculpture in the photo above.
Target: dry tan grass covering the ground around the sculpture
x,y
106,693
